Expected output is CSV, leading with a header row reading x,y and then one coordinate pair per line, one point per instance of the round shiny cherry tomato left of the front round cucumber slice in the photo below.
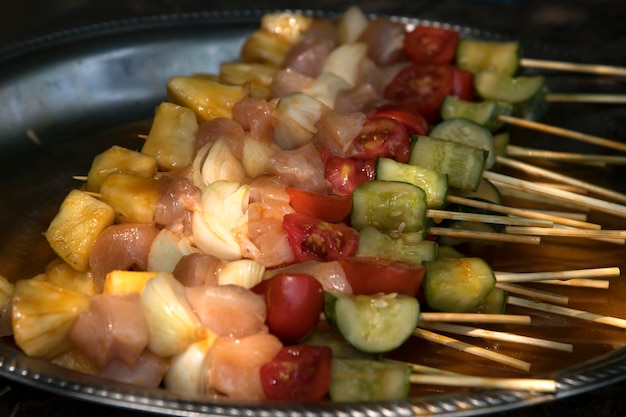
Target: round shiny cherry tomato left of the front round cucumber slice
x,y
294,304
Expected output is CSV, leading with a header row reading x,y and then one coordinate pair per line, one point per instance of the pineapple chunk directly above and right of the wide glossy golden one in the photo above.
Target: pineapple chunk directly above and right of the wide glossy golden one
x,y
259,76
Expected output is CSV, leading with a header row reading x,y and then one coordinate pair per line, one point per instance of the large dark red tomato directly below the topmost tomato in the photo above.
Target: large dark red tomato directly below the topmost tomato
x,y
421,88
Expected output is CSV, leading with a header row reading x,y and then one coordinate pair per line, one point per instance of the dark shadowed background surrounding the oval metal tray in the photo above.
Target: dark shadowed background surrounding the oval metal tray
x,y
593,31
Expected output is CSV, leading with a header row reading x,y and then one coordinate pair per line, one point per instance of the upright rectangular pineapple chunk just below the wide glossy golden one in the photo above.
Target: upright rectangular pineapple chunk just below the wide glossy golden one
x,y
172,136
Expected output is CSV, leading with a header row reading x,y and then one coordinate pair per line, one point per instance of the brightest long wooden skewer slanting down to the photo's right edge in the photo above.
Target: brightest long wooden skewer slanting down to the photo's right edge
x,y
591,202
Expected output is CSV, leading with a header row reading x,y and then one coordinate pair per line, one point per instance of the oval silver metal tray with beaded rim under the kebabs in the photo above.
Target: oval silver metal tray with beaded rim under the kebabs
x,y
57,90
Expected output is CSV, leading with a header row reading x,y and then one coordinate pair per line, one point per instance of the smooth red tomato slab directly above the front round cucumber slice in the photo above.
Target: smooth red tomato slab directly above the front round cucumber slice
x,y
369,275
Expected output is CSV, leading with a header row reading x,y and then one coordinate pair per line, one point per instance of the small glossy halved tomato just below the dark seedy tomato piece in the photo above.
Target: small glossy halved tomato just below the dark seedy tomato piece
x,y
345,174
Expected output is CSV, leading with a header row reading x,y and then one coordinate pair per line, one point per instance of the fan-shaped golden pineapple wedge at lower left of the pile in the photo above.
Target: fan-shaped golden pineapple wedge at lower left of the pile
x,y
42,316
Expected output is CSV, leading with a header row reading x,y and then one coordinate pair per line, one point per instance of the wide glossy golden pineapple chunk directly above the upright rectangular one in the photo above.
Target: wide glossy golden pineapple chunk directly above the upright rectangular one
x,y
208,99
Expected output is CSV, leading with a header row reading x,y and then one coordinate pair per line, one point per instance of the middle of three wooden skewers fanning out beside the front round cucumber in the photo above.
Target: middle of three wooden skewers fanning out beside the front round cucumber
x,y
495,335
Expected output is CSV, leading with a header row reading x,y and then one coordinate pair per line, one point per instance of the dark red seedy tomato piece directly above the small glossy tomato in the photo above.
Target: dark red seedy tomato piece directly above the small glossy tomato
x,y
381,137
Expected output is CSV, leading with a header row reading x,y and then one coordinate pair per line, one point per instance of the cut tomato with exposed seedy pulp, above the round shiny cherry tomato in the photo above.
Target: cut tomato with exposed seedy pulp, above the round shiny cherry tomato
x,y
314,239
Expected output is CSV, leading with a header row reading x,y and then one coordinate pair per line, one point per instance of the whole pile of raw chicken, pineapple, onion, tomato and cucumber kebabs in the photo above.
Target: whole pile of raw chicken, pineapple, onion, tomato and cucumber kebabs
x,y
295,215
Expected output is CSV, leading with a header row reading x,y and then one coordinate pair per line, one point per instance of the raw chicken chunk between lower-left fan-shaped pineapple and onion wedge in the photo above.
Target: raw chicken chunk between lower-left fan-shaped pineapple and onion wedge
x,y
113,327
